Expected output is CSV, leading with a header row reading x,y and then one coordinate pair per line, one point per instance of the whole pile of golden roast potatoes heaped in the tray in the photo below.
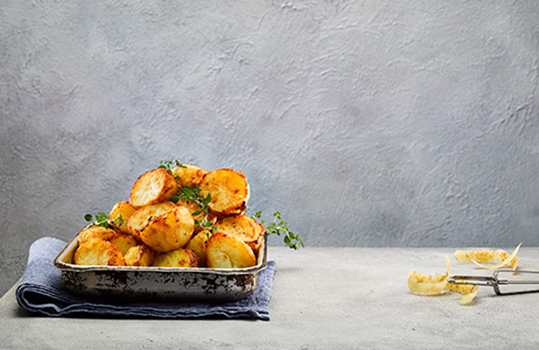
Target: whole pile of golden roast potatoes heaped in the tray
x,y
153,229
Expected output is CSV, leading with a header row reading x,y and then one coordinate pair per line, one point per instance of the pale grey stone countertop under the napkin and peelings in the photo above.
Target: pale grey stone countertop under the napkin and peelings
x,y
323,298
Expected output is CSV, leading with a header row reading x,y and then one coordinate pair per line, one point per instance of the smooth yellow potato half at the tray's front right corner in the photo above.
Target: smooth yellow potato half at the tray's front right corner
x,y
228,252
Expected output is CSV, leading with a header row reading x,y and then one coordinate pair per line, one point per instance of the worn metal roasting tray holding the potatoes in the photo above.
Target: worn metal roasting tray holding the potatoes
x,y
158,283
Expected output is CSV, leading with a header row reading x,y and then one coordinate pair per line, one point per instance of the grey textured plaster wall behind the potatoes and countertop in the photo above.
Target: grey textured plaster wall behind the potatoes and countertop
x,y
366,123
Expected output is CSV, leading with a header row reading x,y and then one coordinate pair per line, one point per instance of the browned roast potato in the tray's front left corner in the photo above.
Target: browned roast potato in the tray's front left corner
x,y
95,251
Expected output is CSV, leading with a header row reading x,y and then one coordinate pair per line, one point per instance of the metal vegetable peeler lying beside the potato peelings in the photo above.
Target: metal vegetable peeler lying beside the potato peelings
x,y
515,282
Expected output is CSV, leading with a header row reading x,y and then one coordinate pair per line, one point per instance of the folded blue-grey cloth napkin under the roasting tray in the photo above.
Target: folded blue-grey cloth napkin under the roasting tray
x,y
41,290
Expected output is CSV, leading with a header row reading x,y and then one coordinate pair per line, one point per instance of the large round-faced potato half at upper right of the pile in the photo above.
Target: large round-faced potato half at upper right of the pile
x,y
229,191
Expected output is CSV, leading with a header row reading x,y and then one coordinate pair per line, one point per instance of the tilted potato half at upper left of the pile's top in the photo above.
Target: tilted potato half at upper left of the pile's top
x,y
154,186
